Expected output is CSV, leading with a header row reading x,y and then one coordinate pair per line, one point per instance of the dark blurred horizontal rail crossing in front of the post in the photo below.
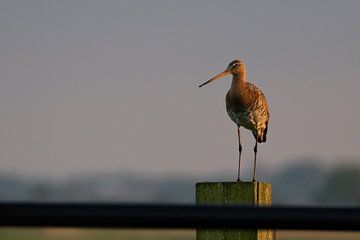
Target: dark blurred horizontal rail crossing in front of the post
x,y
177,216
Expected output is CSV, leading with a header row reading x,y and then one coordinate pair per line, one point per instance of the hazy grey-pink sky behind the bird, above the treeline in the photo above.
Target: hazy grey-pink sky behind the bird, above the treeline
x,y
96,86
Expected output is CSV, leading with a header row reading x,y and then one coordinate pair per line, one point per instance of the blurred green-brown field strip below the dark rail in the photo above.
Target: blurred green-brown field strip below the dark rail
x,y
95,234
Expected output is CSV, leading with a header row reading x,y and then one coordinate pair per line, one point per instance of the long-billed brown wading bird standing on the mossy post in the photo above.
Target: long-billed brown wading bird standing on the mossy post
x,y
246,106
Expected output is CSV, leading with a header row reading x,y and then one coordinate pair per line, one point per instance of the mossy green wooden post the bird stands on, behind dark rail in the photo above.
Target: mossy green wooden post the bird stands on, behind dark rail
x,y
230,193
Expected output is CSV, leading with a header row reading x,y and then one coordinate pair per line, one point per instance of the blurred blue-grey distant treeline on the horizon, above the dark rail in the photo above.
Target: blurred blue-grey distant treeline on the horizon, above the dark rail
x,y
303,183
